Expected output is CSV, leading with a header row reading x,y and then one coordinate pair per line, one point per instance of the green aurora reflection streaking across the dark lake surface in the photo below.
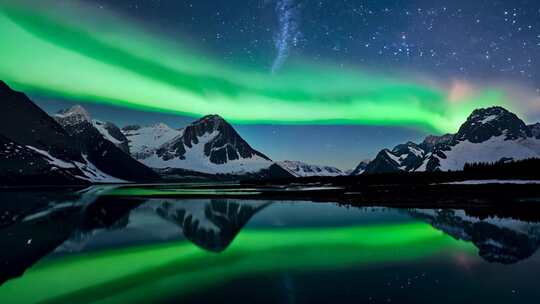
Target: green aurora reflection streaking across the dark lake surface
x,y
151,273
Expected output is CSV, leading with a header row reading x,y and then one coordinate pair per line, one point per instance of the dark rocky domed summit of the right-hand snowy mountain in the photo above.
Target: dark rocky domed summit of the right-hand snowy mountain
x,y
483,124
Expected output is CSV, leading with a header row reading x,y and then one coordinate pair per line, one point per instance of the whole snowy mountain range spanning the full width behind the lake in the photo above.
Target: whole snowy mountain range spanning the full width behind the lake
x,y
72,148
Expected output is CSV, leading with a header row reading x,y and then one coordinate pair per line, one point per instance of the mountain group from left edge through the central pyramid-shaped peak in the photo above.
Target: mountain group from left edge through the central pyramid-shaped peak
x,y
72,148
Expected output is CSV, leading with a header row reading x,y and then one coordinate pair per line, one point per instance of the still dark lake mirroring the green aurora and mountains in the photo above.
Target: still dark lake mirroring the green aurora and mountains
x,y
102,245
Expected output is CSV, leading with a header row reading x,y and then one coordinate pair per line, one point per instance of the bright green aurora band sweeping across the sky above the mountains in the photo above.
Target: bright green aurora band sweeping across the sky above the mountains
x,y
75,52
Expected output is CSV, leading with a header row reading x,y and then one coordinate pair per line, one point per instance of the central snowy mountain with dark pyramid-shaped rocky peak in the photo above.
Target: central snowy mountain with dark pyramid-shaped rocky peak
x,y
209,145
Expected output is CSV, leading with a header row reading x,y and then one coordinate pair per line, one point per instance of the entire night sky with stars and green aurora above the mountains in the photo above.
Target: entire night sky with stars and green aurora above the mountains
x,y
328,82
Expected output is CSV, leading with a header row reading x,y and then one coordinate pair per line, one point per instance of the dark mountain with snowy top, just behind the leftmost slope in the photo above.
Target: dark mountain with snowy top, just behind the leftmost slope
x,y
101,147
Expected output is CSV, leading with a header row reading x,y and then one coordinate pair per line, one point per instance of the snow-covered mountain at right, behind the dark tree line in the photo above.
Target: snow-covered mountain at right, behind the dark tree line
x,y
489,135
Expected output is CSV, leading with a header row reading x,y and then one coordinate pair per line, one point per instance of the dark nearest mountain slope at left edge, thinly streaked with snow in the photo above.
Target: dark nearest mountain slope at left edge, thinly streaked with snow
x,y
38,150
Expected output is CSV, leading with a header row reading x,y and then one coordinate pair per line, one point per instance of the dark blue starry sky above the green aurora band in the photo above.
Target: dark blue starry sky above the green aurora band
x,y
459,39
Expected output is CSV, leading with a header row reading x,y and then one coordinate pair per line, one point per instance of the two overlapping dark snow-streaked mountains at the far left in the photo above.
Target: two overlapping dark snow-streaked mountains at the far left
x,y
70,148
